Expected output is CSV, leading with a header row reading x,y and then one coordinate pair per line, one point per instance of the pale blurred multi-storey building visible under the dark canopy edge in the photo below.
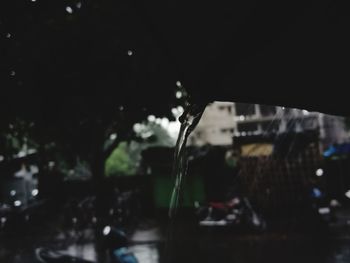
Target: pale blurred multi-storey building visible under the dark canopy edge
x,y
222,121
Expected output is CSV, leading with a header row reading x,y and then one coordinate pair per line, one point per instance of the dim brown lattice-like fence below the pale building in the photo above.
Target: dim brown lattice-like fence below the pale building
x,y
280,185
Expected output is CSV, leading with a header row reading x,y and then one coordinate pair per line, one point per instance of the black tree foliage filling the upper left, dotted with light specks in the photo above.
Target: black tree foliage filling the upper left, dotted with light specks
x,y
82,56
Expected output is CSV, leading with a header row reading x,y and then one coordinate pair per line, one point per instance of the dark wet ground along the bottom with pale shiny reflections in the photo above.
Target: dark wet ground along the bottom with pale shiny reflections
x,y
149,246
